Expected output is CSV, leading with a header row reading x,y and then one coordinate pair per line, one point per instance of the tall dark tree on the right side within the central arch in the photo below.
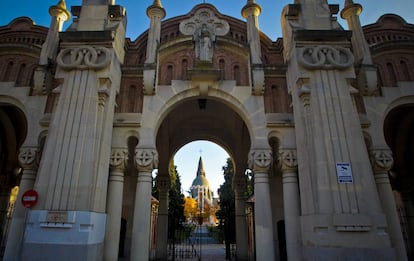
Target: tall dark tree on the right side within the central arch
x,y
226,213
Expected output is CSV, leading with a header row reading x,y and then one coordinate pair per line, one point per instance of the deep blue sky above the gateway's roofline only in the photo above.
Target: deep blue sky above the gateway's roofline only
x,y
269,20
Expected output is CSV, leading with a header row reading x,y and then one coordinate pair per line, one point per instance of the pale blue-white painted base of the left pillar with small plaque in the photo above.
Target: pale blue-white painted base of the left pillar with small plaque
x,y
76,235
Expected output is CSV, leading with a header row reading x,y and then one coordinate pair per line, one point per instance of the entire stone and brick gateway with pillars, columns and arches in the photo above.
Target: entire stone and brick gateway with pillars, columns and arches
x,y
323,119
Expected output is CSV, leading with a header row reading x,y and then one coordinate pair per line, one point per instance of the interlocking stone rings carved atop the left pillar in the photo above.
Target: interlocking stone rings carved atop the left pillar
x,y
84,57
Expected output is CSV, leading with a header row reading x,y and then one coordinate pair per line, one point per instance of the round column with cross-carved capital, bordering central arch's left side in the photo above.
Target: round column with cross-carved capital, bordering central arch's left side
x,y
146,160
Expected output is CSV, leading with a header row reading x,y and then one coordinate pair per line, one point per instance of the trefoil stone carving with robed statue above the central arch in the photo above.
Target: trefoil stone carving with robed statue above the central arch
x,y
204,26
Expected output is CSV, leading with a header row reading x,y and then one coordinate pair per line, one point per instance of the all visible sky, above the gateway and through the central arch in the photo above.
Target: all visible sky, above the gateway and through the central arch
x,y
213,156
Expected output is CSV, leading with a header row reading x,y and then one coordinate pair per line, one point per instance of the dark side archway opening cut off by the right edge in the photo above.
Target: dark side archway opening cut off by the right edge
x,y
398,130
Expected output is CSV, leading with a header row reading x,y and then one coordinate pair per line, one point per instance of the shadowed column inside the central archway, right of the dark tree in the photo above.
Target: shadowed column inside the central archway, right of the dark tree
x,y
239,187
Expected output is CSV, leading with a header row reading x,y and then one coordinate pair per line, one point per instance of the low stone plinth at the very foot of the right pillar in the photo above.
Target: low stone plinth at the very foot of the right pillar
x,y
348,254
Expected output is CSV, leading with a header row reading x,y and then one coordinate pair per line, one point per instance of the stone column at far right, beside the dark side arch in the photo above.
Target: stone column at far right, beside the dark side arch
x,y
382,162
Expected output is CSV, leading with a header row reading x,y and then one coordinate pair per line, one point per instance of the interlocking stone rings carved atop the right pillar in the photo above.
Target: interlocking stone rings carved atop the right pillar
x,y
325,57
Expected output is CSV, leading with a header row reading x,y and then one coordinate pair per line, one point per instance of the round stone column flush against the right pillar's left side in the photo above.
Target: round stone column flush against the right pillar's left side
x,y
291,203
